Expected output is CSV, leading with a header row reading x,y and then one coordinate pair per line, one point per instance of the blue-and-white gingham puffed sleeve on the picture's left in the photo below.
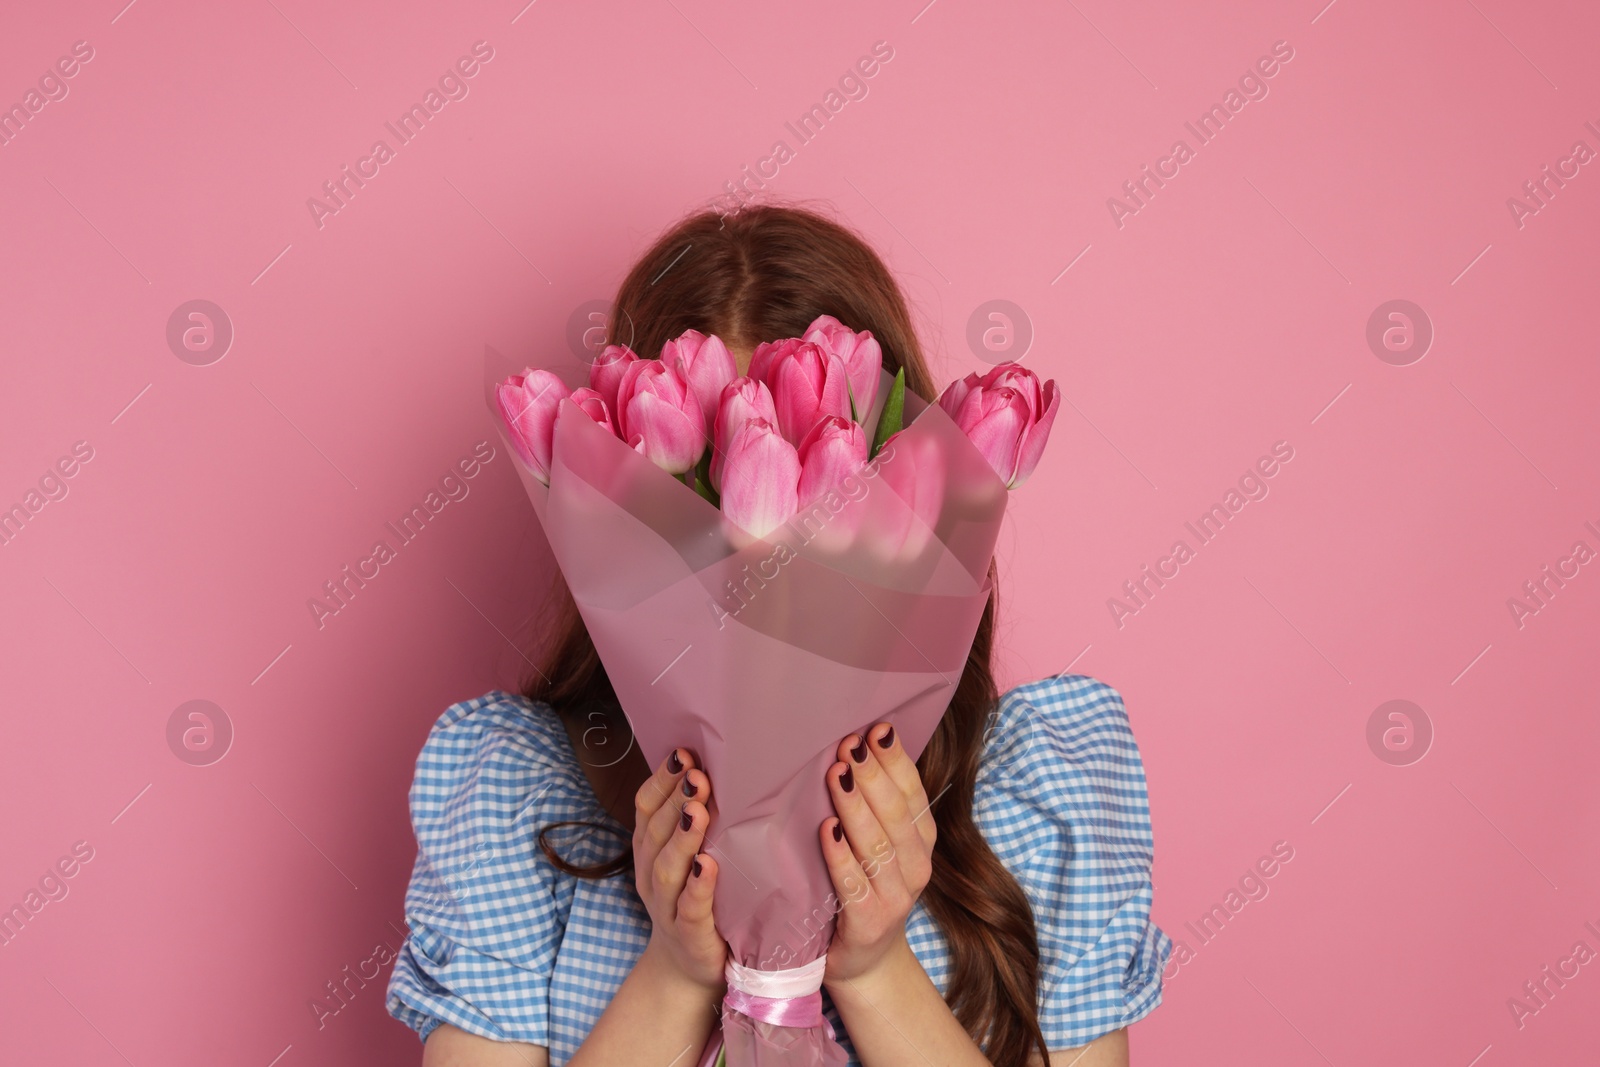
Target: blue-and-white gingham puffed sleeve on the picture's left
x,y
486,909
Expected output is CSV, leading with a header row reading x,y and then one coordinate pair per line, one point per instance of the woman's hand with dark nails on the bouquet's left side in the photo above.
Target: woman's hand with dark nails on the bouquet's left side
x,y
670,826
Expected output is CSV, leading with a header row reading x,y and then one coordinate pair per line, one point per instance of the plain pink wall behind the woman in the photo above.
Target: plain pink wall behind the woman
x,y
1228,314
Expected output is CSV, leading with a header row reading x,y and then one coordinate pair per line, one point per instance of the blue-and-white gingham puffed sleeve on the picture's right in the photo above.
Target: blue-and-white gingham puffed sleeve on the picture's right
x,y
1063,802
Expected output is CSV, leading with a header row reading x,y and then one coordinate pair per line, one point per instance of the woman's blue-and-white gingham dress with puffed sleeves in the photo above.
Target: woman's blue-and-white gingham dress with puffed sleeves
x,y
506,946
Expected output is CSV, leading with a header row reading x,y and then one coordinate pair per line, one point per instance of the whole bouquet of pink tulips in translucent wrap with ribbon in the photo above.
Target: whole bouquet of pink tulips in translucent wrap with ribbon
x,y
769,564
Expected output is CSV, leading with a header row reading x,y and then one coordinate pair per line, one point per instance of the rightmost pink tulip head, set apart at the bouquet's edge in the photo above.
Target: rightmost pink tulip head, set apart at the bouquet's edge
x,y
1007,415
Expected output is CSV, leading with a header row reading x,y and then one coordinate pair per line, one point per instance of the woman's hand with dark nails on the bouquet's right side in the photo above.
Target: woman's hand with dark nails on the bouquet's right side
x,y
879,849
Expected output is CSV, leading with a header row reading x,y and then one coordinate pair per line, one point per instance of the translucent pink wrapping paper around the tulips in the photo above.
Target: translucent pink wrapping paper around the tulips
x,y
761,655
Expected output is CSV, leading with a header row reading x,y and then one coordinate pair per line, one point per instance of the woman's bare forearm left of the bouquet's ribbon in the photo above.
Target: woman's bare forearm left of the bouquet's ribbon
x,y
658,1017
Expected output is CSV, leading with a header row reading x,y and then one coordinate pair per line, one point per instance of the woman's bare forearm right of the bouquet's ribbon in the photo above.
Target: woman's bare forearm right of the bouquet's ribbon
x,y
897,1017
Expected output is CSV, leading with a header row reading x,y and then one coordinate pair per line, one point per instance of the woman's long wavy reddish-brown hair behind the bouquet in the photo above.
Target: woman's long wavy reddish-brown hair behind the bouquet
x,y
766,274
